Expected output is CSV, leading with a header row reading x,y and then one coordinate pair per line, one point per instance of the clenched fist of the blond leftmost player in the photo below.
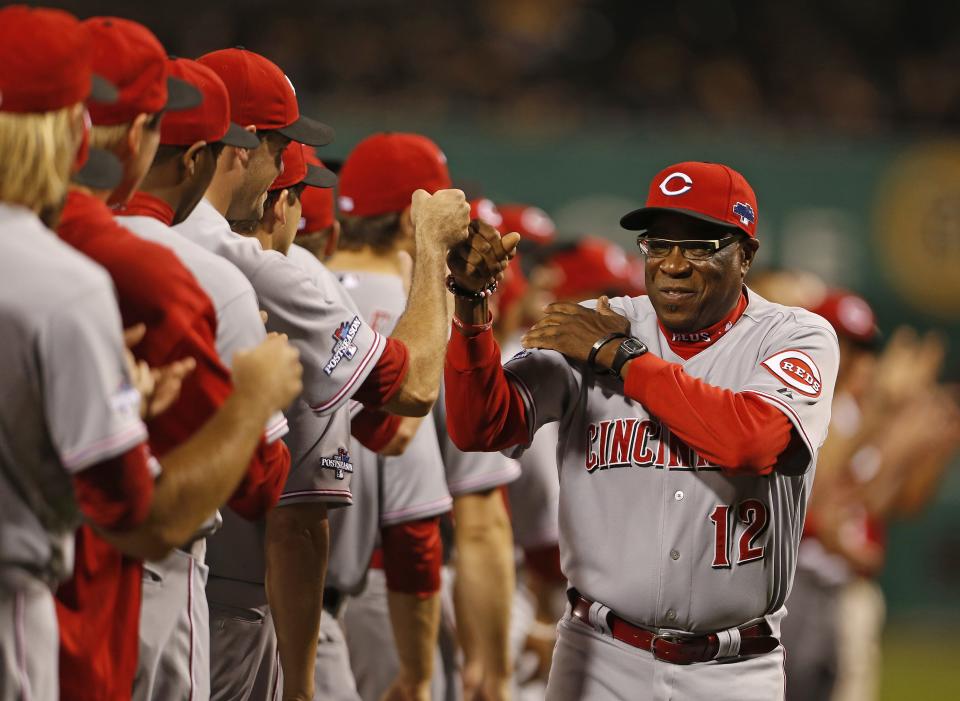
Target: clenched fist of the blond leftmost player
x,y
269,373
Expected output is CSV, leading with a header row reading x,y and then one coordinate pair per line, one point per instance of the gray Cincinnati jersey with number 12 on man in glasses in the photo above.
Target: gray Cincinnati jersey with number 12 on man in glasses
x,y
649,527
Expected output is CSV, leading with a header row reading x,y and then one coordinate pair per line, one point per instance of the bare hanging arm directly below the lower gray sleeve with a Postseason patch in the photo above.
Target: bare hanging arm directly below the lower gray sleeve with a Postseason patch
x,y
296,549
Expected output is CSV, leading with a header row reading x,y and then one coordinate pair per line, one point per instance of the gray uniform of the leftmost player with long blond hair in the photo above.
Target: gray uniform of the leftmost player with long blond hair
x,y
68,405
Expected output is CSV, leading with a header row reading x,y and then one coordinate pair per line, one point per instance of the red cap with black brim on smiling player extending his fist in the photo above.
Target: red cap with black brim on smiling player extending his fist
x,y
262,95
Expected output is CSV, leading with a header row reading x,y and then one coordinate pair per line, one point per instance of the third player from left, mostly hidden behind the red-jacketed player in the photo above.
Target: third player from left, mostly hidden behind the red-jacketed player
x,y
174,656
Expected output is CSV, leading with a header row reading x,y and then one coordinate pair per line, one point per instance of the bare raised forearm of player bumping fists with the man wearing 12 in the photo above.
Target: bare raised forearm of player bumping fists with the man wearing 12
x,y
423,330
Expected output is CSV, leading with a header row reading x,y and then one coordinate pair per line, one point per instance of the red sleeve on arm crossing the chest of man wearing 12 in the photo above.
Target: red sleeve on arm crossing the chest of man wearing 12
x,y
737,431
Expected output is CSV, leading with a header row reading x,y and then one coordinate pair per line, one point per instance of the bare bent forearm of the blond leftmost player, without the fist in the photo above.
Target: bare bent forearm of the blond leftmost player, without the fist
x,y
198,477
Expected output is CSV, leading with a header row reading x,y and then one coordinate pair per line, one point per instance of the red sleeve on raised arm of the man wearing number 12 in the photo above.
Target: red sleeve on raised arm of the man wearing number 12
x,y
484,409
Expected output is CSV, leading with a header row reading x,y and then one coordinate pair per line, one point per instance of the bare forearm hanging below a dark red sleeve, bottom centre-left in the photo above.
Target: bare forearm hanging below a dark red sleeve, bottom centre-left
x,y
415,621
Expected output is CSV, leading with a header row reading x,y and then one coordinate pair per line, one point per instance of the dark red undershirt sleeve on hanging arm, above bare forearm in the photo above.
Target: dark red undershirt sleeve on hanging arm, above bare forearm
x,y
413,556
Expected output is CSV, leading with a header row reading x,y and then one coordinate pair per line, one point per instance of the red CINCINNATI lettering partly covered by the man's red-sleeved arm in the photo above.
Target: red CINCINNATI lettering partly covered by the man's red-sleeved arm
x,y
633,442
